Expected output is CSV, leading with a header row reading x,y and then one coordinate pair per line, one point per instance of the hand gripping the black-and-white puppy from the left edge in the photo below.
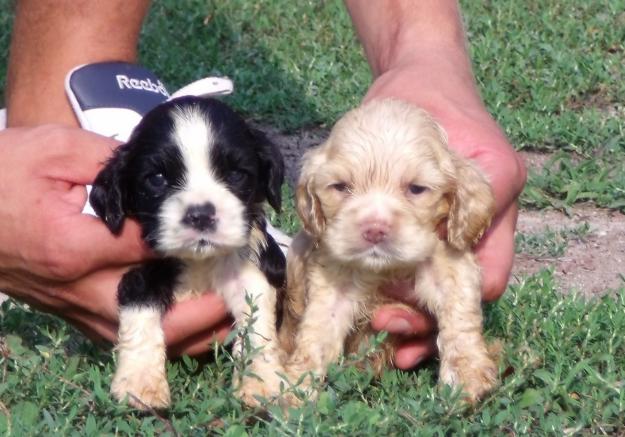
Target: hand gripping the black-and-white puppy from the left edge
x,y
47,246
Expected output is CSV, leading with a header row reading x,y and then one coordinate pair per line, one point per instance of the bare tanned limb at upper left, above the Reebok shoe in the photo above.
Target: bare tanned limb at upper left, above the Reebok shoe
x,y
50,37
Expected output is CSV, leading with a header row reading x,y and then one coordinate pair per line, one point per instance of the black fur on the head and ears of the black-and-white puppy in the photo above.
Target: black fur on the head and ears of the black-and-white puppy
x,y
248,163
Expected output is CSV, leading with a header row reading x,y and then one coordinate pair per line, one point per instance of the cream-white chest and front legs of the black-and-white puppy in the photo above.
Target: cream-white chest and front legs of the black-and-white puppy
x,y
141,344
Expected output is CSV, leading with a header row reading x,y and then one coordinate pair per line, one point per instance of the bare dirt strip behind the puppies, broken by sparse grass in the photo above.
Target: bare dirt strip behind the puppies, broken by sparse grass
x,y
591,264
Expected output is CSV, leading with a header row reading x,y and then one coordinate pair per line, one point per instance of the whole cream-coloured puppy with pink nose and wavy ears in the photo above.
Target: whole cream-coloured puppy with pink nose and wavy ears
x,y
385,199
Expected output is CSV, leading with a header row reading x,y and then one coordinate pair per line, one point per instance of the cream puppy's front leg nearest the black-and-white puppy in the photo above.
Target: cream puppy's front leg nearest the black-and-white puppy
x,y
326,322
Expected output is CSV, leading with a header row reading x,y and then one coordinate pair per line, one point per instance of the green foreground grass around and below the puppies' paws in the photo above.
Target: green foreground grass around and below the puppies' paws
x,y
563,366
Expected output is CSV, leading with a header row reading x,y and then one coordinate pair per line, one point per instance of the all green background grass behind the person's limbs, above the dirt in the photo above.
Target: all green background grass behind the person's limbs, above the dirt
x,y
551,72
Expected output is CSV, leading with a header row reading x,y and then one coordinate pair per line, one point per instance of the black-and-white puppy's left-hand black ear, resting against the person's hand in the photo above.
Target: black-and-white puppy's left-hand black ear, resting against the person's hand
x,y
107,196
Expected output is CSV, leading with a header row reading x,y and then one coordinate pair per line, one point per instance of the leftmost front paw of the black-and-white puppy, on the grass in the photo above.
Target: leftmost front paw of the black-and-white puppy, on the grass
x,y
142,389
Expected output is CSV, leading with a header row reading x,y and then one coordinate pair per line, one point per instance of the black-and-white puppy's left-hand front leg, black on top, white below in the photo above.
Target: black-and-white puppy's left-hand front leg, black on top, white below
x,y
143,297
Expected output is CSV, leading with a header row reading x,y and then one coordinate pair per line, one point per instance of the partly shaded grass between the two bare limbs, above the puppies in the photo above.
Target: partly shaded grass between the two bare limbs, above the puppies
x,y
292,66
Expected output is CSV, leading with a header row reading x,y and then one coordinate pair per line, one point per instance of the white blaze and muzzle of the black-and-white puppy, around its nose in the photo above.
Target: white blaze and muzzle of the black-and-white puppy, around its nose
x,y
194,135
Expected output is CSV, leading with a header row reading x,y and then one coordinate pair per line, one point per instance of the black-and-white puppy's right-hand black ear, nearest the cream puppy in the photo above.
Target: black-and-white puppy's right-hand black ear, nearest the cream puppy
x,y
272,168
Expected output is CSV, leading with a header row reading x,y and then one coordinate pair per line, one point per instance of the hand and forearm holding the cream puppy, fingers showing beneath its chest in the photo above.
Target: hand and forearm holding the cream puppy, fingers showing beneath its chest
x,y
424,61
